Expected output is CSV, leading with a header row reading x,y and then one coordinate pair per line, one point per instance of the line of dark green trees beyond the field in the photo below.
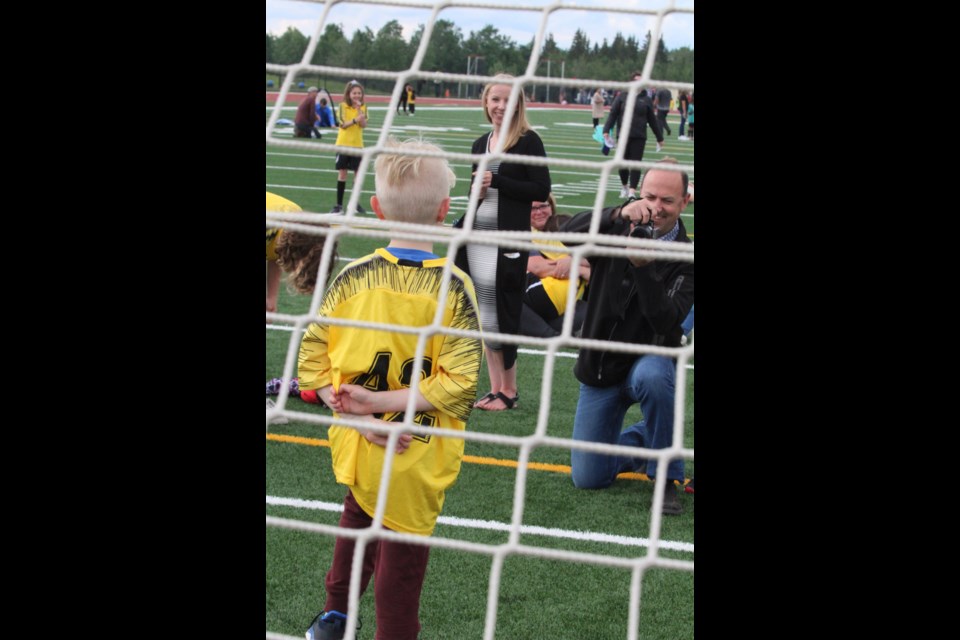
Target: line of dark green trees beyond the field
x,y
492,53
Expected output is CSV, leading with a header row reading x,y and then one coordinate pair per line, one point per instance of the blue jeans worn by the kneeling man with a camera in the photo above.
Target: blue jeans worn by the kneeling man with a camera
x,y
600,413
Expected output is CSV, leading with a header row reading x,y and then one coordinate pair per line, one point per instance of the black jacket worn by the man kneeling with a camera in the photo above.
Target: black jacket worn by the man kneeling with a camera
x,y
639,305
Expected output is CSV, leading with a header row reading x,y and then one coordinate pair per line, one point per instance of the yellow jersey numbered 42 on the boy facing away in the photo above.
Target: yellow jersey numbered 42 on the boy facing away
x,y
383,288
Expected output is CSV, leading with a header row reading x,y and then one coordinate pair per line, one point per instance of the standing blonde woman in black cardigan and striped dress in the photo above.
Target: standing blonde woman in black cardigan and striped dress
x,y
507,191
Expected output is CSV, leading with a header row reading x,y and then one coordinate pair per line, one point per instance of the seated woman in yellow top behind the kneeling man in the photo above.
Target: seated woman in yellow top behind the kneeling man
x,y
548,273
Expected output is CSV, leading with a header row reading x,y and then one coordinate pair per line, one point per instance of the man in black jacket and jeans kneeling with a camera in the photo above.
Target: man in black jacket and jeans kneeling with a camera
x,y
640,301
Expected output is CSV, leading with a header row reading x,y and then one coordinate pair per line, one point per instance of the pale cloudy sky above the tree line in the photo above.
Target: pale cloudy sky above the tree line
x,y
521,26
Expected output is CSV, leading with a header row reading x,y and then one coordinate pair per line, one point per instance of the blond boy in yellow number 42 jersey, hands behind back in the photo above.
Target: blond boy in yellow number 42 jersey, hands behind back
x,y
367,374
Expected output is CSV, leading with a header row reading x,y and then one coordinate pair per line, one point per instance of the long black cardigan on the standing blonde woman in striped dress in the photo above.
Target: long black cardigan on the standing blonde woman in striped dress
x,y
518,186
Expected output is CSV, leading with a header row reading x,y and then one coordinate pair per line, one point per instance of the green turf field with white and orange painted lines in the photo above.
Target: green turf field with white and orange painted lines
x,y
537,597
